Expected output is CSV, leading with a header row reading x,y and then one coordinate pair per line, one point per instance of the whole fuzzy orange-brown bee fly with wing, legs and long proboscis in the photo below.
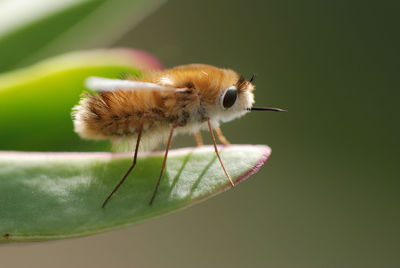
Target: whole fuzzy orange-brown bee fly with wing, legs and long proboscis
x,y
184,99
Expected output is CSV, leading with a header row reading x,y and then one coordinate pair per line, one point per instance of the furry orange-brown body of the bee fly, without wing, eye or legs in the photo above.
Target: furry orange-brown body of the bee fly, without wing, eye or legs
x,y
118,115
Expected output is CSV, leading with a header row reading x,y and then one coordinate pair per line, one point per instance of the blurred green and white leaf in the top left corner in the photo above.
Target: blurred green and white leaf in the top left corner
x,y
39,29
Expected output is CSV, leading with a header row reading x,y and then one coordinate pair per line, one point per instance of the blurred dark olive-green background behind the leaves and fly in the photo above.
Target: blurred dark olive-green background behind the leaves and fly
x,y
329,194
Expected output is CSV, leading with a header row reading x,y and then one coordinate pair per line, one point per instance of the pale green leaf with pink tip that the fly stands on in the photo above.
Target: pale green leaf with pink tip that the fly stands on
x,y
59,195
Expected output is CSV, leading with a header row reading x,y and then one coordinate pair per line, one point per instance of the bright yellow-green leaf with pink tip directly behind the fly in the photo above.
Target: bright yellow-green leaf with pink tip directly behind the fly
x,y
36,102
